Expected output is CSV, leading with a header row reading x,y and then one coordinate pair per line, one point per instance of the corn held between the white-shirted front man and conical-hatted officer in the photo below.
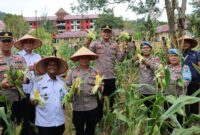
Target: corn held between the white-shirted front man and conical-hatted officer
x,y
75,86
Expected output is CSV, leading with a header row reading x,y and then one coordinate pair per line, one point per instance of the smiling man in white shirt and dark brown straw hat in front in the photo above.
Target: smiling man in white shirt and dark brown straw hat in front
x,y
47,95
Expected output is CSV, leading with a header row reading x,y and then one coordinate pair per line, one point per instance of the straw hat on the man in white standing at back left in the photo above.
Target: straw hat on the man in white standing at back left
x,y
37,43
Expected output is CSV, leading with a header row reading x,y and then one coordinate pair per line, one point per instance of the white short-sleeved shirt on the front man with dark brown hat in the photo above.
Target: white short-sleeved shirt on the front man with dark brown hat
x,y
53,91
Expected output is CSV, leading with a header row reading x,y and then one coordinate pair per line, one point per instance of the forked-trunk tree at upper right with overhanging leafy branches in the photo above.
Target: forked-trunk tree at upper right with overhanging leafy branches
x,y
150,7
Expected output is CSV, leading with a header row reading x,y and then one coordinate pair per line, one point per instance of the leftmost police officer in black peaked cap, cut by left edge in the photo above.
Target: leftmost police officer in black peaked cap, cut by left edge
x,y
6,60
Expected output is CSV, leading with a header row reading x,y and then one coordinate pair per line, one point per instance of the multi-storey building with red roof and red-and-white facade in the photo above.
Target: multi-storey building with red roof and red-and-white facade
x,y
66,24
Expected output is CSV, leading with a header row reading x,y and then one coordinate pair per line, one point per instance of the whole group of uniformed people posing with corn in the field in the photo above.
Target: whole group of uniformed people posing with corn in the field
x,y
46,77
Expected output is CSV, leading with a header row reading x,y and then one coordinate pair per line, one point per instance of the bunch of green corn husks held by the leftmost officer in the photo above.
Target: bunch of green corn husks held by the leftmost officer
x,y
15,78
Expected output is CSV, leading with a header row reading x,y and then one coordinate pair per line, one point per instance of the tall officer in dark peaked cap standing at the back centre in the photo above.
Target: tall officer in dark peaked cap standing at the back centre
x,y
108,52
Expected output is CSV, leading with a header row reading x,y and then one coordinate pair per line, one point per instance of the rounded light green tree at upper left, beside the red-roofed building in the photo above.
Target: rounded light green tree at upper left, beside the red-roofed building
x,y
16,24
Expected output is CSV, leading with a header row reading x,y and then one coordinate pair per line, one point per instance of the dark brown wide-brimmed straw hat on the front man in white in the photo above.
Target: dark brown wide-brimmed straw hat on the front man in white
x,y
42,64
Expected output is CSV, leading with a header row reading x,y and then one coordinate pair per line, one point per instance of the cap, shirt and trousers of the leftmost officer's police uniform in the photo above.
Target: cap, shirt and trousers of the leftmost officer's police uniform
x,y
11,94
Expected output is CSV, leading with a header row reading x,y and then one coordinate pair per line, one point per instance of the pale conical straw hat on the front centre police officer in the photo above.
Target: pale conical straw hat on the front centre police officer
x,y
83,52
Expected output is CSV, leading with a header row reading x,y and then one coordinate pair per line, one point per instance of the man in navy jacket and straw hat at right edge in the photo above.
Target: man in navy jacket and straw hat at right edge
x,y
191,57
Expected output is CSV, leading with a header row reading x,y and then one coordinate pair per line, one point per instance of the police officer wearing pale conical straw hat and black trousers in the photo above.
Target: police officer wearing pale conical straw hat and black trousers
x,y
85,109
